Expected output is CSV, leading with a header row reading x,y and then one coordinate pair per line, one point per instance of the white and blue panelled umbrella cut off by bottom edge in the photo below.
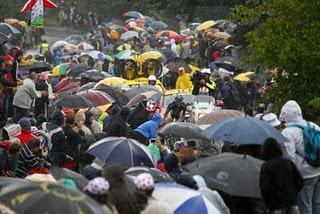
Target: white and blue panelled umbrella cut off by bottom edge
x,y
183,200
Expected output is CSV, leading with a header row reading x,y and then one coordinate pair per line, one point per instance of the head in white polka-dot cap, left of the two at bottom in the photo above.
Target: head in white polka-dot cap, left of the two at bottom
x,y
97,189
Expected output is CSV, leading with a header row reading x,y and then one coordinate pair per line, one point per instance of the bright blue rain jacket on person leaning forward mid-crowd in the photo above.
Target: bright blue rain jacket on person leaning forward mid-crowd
x,y
149,129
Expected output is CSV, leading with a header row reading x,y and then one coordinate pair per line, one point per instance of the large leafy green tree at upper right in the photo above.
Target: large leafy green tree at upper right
x,y
284,34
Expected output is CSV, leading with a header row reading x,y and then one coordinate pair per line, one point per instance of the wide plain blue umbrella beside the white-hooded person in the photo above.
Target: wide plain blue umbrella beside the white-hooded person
x,y
243,130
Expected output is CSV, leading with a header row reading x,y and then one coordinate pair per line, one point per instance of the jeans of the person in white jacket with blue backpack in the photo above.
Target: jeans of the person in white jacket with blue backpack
x,y
309,197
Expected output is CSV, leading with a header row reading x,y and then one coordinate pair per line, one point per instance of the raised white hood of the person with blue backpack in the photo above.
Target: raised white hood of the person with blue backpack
x,y
291,112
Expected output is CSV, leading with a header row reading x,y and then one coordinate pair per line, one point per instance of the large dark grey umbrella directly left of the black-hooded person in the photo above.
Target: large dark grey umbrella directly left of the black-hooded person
x,y
235,174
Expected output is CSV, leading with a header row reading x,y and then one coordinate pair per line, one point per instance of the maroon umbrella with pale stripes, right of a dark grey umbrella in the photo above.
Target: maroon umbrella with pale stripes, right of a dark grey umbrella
x,y
98,98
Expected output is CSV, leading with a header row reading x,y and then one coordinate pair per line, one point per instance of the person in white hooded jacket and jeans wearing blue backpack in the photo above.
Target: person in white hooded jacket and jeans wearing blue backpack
x,y
309,197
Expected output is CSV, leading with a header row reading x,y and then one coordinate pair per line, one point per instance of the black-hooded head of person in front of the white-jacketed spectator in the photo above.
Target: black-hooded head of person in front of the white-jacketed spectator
x,y
271,150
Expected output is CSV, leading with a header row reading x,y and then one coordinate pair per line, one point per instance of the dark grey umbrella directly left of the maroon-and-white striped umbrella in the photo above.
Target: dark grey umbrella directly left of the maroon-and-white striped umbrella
x,y
74,101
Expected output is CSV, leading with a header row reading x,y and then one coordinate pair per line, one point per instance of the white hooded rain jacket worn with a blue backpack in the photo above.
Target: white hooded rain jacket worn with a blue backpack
x,y
291,114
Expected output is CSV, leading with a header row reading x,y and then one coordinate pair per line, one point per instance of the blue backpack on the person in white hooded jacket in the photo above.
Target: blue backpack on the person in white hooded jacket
x,y
311,138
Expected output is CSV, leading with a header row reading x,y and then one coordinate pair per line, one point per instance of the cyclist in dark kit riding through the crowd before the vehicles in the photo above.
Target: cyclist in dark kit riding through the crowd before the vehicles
x,y
177,109
